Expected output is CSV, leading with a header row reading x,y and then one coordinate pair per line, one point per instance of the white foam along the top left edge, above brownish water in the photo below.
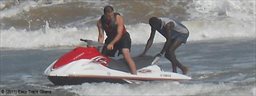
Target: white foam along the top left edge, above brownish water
x,y
18,7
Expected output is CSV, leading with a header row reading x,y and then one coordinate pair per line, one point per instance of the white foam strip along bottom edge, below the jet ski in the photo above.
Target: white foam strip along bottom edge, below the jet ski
x,y
156,88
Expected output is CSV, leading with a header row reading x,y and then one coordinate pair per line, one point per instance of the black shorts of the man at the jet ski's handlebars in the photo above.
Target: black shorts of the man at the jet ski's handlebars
x,y
124,42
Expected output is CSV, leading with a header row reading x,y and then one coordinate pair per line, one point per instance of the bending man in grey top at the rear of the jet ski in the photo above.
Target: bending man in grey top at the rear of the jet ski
x,y
175,34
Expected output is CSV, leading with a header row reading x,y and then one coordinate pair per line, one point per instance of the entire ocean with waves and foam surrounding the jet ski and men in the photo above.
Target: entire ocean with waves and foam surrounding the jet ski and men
x,y
220,52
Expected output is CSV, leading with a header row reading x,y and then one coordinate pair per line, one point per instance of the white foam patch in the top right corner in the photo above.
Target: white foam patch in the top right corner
x,y
209,9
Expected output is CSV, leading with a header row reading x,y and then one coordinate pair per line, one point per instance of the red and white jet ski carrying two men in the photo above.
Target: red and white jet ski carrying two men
x,y
87,64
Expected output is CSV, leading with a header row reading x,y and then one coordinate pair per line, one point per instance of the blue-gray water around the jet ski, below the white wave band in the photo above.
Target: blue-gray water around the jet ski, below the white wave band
x,y
218,67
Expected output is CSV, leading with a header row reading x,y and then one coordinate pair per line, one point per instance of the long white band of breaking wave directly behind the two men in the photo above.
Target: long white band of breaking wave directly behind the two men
x,y
69,36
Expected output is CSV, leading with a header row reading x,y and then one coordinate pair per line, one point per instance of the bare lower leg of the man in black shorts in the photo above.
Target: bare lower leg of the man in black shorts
x,y
129,60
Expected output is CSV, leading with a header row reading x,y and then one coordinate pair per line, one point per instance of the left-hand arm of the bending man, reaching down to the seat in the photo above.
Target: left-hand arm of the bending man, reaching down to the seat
x,y
150,41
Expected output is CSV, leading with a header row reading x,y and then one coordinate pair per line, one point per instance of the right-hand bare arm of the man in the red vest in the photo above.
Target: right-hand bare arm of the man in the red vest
x,y
120,26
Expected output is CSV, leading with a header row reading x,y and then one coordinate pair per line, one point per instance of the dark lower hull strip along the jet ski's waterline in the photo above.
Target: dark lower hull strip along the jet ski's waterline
x,y
75,80
